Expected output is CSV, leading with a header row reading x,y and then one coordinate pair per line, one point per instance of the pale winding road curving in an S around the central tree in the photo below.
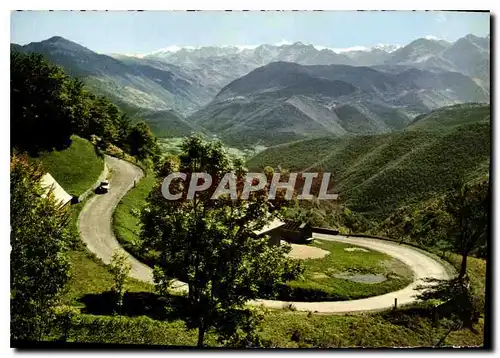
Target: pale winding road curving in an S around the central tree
x,y
95,224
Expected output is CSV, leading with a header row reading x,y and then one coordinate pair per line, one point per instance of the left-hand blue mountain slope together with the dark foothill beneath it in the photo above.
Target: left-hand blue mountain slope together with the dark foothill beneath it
x,y
143,89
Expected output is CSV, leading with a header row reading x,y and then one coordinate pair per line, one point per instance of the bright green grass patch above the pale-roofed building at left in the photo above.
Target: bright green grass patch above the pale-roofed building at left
x,y
76,167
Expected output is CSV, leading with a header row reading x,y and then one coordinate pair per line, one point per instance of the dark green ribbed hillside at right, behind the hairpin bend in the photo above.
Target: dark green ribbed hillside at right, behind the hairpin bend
x,y
376,174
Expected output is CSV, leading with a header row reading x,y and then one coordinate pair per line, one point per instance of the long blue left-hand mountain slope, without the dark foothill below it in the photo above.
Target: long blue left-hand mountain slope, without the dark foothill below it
x,y
137,83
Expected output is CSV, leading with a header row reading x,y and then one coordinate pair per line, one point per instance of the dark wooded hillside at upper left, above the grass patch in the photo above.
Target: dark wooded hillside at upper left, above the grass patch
x,y
48,107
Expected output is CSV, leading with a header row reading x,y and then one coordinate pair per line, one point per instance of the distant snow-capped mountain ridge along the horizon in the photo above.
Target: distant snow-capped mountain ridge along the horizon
x,y
424,53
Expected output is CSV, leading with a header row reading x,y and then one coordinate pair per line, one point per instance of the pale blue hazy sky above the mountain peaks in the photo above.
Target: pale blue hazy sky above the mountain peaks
x,y
143,32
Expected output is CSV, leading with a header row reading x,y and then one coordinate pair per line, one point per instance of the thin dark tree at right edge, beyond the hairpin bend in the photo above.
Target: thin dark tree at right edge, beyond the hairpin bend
x,y
468,207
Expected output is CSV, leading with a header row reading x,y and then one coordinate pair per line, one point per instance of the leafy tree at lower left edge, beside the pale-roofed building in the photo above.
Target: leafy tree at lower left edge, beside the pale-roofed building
x,y
39,241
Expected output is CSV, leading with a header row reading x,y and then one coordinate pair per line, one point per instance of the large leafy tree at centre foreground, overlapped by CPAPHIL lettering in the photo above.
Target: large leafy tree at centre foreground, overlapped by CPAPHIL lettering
x,y
211,245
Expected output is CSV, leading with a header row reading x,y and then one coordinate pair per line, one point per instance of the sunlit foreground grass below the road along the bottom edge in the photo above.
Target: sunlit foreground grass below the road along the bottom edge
x,y
404,327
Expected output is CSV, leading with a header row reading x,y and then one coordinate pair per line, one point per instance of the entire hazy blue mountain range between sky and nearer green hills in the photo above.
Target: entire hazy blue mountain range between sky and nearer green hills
x,y
277,93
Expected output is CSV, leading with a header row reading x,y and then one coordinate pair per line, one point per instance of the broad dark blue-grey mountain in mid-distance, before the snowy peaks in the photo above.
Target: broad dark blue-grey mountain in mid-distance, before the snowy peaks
x,y
286,101
